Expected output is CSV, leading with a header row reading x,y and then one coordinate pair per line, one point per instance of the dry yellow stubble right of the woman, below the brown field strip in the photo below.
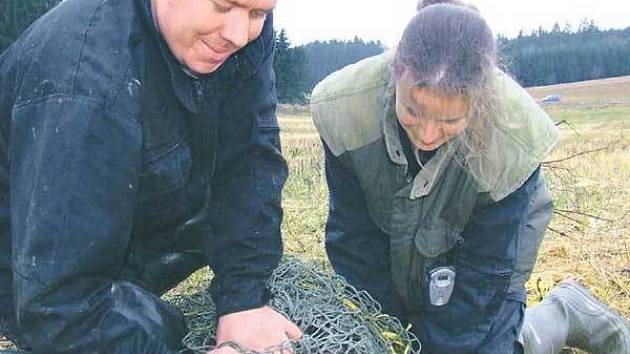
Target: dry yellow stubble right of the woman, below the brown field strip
x,y
591,229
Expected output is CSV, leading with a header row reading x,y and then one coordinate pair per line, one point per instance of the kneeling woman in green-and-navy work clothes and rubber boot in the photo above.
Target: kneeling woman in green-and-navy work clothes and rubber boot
x,y
437,200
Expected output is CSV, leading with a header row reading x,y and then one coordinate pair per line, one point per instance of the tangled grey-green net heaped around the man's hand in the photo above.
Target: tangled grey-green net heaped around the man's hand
x,y
334,316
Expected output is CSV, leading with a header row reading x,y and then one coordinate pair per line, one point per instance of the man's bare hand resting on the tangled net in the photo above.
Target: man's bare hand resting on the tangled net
x,y
256,329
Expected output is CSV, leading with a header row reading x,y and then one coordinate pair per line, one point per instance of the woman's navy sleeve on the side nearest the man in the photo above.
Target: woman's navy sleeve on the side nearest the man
x,y
356,248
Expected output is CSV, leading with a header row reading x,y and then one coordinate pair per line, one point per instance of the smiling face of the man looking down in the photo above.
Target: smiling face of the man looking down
x,y
202,34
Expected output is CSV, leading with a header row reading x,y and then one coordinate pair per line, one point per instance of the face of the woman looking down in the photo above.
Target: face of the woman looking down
x,y
429,118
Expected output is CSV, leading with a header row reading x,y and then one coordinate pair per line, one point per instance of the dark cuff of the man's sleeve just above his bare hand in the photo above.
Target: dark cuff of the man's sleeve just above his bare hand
x,y
235,294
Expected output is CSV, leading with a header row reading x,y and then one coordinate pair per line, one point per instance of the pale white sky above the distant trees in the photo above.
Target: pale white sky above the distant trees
x,y
309,20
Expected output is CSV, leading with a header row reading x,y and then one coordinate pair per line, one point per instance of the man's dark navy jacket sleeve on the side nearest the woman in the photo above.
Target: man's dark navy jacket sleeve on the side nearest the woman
x,y
245,244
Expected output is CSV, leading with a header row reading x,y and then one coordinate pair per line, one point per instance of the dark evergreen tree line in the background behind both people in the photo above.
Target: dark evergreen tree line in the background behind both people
x,y
542,57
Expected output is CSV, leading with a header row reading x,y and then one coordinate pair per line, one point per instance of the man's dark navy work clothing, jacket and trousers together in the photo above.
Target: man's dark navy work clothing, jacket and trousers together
x,y
120,174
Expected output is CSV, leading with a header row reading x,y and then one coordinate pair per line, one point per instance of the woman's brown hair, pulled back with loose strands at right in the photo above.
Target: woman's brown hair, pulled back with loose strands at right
x,y
448,47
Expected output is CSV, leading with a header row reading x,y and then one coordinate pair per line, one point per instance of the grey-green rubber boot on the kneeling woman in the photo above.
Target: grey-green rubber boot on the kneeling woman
x,y
571,316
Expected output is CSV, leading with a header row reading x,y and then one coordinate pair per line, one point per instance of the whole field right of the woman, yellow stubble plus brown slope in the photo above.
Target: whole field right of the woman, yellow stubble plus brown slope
x,y
591,228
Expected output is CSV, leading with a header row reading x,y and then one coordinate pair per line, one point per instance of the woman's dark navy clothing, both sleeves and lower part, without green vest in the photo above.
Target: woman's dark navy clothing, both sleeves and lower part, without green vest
x,y
482,314
